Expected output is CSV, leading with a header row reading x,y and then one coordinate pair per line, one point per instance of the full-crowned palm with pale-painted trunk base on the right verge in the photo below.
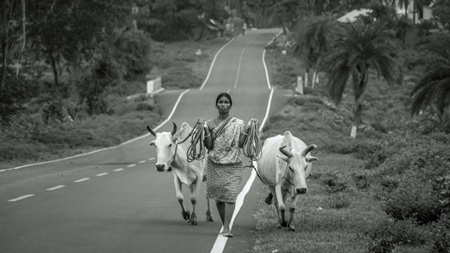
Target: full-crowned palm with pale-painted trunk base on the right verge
x,y
358,48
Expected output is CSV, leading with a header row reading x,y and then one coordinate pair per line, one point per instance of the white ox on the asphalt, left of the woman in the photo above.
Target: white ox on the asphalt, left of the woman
x,y
171,156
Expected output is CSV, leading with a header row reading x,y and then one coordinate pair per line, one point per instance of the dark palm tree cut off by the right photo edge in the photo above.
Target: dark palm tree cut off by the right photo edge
x,y
434,86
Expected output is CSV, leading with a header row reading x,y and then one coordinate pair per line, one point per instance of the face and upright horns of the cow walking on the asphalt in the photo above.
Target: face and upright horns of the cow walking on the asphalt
x,y
165,144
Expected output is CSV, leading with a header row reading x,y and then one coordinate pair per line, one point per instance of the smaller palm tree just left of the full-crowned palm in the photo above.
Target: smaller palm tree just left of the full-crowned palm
x,y
313,42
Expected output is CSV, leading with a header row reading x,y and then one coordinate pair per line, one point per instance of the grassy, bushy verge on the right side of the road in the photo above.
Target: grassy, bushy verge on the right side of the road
x,y
376,193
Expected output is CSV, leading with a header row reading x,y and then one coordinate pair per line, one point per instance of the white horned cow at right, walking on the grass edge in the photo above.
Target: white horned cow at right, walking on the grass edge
x,y
284,167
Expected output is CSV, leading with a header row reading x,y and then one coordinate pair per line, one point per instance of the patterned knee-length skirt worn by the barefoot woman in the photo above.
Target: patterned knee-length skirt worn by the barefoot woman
x,y
223,181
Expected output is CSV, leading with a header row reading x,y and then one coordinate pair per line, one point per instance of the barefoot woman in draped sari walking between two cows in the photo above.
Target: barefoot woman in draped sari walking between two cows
x,y
224,137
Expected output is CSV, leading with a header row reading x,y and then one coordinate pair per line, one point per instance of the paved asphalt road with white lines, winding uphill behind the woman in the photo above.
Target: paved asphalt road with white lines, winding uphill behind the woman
x,y
115,201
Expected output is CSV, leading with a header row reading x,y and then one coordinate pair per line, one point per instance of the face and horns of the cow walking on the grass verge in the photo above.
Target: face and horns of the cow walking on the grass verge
x,y
297,165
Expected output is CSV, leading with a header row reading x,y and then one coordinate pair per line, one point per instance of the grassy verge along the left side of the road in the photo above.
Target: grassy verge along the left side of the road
x,y
30,138
